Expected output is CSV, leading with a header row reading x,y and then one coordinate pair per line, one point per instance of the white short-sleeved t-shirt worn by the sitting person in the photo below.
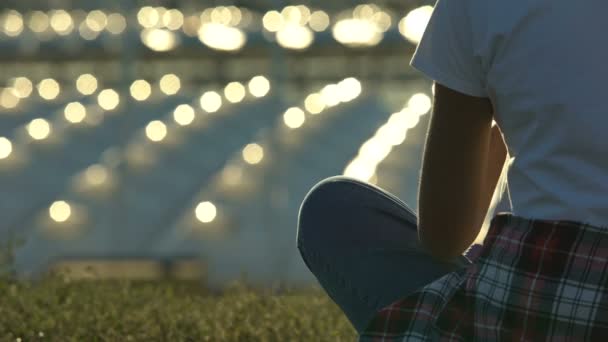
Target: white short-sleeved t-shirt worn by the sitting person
x,y
544,65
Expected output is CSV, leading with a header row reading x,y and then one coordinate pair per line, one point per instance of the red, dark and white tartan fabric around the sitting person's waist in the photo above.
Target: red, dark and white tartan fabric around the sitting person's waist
x,y
533,280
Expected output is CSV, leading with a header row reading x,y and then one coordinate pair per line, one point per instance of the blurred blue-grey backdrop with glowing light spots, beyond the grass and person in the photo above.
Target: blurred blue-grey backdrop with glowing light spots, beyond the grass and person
x,y
178,138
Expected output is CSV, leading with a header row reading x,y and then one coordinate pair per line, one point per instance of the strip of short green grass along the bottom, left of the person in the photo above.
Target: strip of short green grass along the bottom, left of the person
x,y
54,309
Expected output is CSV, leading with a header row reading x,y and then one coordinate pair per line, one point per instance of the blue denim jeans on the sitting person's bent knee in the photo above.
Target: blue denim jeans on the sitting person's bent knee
x,y
361,244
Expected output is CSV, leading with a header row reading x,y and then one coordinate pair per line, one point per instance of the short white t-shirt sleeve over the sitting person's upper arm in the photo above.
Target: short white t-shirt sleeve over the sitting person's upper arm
x,y
446,51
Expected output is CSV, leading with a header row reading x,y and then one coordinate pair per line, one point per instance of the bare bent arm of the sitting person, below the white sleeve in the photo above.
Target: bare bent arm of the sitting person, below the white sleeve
x,y
463,158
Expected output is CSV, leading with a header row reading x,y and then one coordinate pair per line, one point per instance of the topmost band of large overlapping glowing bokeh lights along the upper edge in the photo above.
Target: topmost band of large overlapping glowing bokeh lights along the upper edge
x,y
224,28
